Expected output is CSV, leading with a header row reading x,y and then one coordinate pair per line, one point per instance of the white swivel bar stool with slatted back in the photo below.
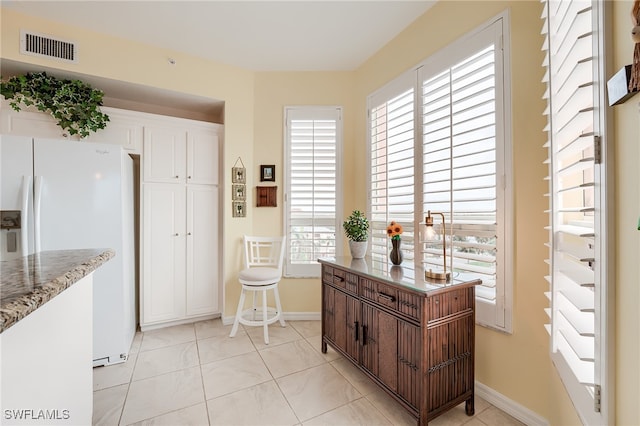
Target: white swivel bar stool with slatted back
x,y
263,259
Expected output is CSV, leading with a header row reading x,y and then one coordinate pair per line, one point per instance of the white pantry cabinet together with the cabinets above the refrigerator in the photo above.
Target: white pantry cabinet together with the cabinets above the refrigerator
x,y
179,206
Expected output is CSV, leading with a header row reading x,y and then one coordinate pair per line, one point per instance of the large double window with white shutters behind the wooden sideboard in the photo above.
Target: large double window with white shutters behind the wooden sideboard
x,y
440,141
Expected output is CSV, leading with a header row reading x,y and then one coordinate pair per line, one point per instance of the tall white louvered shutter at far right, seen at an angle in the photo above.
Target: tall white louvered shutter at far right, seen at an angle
x,y
577,291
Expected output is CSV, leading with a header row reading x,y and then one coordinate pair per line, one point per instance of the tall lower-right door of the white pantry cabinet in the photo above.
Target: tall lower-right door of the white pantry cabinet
x,y
202,250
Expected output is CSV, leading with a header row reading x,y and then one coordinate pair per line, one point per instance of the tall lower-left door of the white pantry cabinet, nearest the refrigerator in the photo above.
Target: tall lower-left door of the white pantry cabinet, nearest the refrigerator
x,y
163,253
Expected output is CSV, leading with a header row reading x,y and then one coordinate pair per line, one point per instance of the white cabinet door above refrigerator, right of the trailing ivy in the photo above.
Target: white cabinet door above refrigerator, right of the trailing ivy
x,y
123,129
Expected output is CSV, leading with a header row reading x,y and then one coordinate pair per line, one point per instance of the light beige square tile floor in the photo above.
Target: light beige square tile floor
x,y
196,374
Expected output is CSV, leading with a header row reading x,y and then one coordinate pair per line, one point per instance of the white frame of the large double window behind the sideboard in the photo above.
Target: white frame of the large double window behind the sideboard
x,y
498,315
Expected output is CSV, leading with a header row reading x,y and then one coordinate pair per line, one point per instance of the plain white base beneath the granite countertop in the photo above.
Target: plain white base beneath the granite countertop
x,y
46,370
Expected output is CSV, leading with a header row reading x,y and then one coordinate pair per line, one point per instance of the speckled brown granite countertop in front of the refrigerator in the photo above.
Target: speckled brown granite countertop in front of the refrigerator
x,y
31,281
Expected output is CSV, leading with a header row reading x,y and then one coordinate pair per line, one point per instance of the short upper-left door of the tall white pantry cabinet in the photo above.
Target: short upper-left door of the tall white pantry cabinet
x,y
164,158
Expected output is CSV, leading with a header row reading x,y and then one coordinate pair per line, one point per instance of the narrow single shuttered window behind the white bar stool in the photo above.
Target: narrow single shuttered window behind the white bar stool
x,y
313,138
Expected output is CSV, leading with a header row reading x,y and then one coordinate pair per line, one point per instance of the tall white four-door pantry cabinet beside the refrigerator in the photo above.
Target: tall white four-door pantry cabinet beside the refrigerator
x,y
180,176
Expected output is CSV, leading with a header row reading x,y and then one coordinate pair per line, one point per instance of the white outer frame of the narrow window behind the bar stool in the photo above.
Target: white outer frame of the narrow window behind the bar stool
x,y
310,112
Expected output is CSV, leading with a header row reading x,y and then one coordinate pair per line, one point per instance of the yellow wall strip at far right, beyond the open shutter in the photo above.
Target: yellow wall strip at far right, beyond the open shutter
x,y
626,120
